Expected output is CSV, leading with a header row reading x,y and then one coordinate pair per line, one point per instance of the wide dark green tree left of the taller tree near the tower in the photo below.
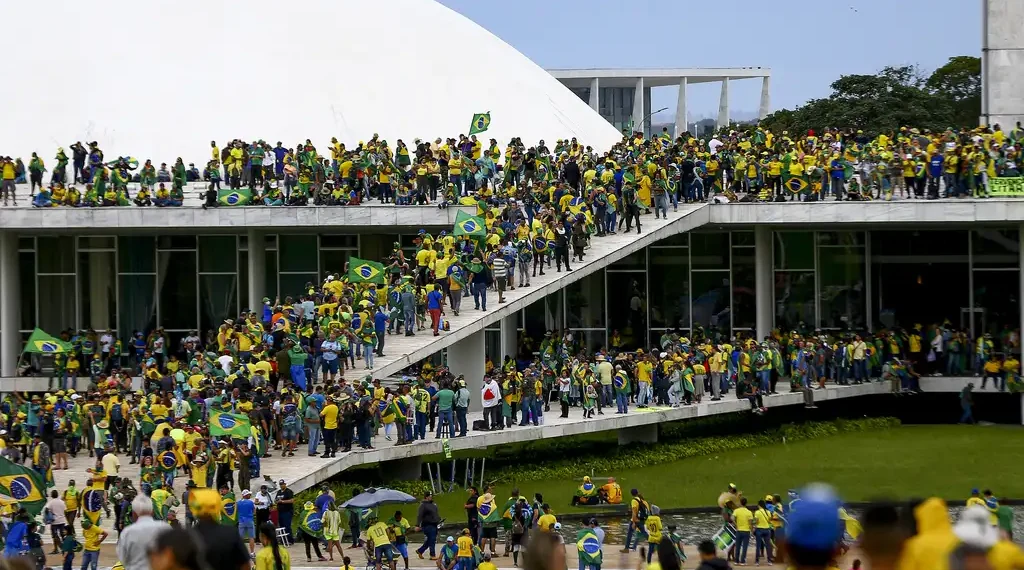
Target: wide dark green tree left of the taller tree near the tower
x,y
895,98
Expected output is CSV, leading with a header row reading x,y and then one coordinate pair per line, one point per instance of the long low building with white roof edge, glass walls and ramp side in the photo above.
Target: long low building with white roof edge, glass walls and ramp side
x,y
740,269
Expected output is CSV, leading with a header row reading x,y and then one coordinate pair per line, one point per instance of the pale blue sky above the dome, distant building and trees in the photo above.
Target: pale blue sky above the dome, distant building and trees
x,y
806,43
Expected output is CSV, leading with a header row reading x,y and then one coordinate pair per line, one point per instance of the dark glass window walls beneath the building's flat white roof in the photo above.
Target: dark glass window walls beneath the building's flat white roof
x,y
832,281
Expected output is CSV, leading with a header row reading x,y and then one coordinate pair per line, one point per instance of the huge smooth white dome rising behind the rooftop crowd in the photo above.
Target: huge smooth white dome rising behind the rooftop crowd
x,y
159,79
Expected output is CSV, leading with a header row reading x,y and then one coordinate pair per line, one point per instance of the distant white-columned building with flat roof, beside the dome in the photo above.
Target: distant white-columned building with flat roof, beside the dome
x,y
623,96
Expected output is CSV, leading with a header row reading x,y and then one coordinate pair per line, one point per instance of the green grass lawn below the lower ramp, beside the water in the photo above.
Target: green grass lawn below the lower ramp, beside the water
x,y
909,462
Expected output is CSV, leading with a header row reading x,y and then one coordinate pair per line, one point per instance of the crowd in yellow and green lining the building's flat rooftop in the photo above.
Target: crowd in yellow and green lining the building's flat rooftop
x,y
751,165
